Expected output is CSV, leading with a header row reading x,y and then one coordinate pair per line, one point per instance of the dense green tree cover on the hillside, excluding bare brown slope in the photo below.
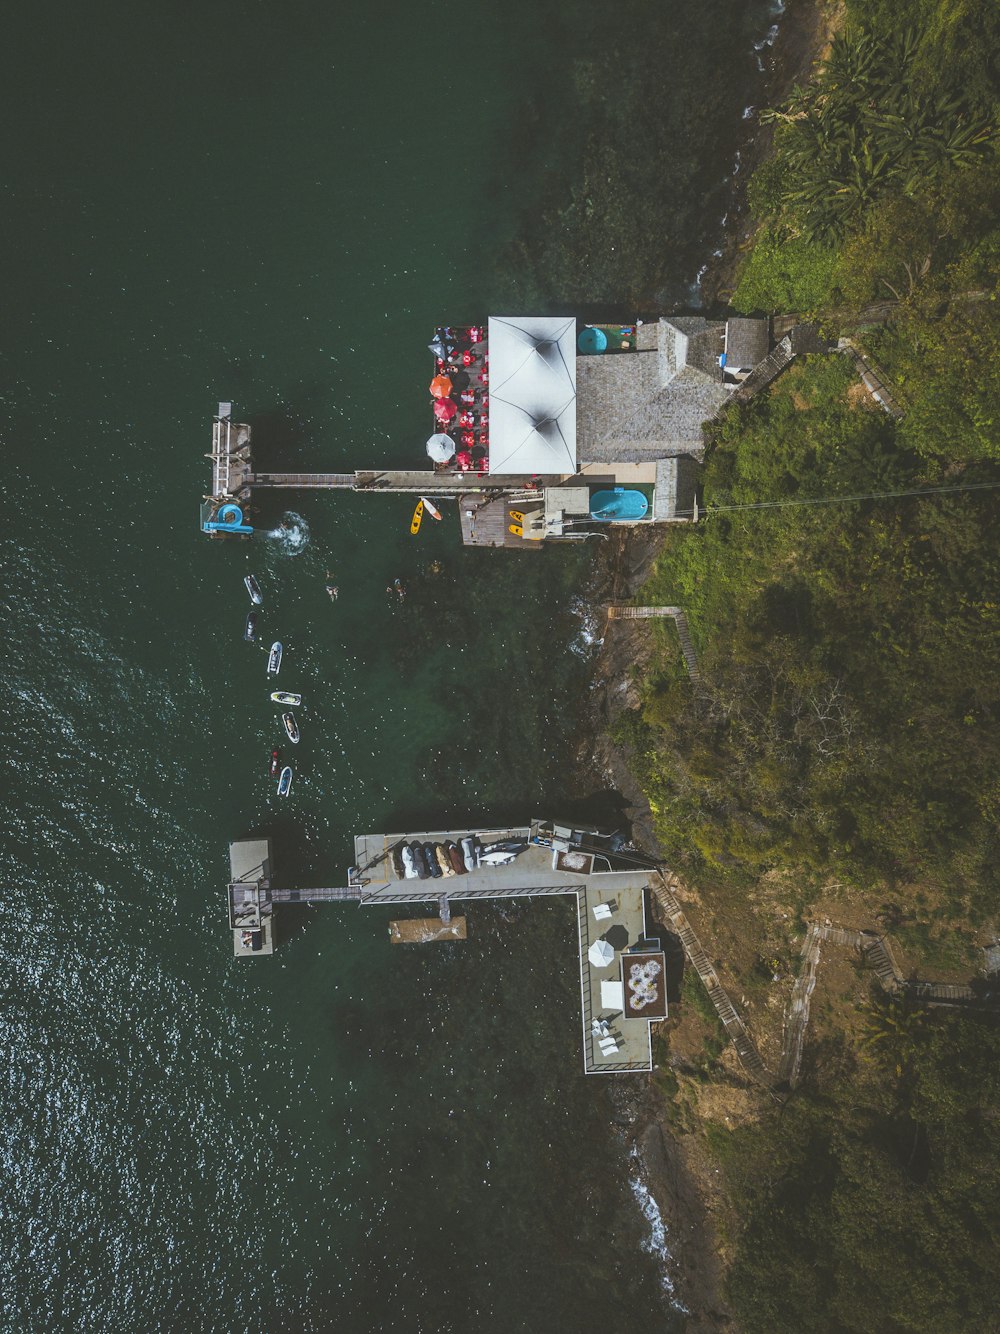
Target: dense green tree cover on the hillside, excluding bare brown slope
x,y
846,726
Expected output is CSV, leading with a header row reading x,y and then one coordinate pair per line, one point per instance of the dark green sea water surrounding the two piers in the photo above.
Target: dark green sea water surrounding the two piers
x,y
275,206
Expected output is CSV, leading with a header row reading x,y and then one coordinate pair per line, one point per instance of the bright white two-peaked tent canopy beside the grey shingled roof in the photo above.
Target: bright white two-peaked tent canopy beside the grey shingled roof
x,y
533,396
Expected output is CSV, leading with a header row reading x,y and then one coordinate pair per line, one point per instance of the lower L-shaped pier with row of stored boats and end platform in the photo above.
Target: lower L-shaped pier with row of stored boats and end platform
x,y
623,972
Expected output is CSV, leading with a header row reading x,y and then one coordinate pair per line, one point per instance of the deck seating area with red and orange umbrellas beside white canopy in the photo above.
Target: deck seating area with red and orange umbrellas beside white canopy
x,y
461,394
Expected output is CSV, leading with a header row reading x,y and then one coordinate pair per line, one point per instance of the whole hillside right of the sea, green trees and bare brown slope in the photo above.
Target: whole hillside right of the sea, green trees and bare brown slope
x,y
845,652
